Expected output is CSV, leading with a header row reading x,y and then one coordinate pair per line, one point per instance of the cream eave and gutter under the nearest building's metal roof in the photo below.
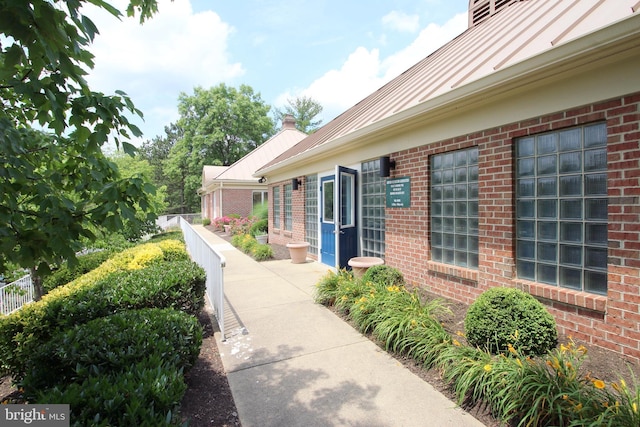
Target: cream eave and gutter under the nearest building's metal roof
x,y
601,45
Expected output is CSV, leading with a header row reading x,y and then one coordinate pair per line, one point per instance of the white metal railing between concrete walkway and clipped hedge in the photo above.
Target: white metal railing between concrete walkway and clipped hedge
x,y
212,262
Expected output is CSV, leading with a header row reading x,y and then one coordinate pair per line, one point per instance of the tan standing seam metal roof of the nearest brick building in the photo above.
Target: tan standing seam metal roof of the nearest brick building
x,y
520,31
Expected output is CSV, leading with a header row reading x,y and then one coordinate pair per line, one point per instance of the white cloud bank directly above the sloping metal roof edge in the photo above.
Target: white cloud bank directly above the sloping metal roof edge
x,y
364,72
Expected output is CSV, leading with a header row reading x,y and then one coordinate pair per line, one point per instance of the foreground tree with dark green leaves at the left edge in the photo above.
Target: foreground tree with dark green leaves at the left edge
x,y
57,185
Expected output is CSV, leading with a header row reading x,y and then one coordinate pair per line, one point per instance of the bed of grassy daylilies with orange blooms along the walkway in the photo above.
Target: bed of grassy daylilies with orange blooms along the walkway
x,y
552,389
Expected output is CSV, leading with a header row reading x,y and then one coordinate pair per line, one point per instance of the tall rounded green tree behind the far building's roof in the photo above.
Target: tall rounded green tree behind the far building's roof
x,y
220,125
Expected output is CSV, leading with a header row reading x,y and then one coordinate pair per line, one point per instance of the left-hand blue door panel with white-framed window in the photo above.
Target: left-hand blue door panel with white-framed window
x,y
327,221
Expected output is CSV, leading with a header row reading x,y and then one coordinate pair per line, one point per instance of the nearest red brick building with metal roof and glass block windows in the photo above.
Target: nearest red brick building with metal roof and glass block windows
x,y
508,157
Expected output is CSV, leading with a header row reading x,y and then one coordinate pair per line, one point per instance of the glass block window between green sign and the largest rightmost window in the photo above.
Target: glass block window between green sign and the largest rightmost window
x,y
454,208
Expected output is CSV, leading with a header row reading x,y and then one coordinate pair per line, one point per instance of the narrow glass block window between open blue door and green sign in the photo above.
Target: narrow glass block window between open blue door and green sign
x,y
373,205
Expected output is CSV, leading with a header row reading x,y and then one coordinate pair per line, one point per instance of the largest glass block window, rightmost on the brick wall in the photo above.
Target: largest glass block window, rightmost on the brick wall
x,y
561,208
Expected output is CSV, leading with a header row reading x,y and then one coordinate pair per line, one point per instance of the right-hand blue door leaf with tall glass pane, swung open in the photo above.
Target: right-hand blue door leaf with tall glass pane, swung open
x,y
347,227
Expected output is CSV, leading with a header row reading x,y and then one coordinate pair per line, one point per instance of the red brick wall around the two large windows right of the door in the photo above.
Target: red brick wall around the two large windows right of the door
x,y
611,321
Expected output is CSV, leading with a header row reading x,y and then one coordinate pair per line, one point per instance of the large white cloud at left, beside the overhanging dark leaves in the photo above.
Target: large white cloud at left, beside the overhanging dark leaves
x,y
171,53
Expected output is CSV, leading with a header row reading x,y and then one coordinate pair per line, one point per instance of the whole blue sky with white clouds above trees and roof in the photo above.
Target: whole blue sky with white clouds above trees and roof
x,y
336,52
